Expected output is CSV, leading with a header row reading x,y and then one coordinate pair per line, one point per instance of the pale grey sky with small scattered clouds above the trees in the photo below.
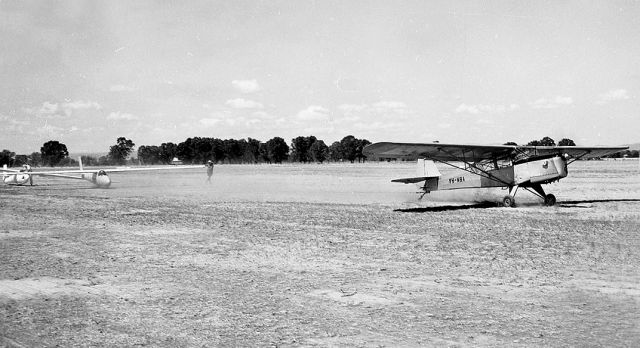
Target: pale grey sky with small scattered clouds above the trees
x,y
476,72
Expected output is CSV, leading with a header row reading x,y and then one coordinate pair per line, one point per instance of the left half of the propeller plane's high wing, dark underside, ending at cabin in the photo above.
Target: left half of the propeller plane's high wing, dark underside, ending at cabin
x,y
440,152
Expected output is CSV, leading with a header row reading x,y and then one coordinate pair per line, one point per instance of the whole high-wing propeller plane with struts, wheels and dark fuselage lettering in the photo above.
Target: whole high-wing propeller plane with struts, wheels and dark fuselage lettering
x,y
484,166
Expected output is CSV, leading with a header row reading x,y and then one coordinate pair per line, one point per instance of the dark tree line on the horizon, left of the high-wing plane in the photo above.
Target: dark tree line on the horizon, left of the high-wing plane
x,y
197,150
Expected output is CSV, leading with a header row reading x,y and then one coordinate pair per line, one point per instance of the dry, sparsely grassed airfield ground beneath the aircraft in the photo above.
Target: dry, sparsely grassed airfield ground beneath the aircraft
x,y
311,255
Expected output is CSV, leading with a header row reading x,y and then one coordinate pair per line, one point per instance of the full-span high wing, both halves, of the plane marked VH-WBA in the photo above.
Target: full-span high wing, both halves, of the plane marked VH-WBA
x,y
476,153
